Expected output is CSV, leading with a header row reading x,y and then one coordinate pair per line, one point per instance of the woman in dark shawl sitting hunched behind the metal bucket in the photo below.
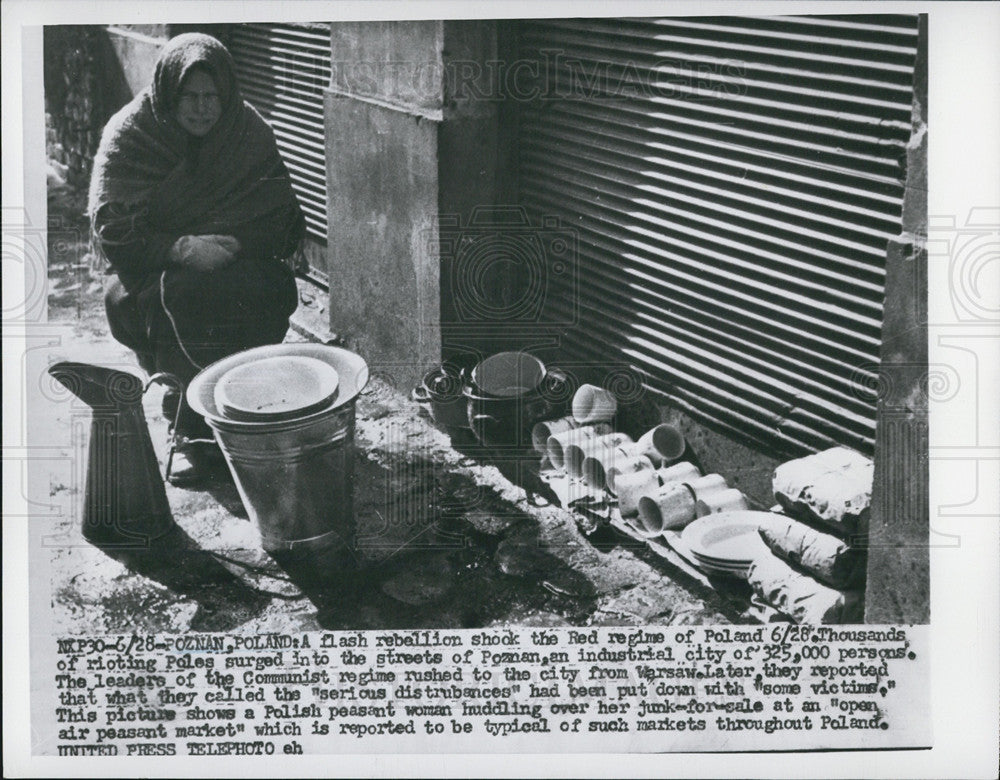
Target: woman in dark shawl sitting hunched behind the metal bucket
x,y
193,209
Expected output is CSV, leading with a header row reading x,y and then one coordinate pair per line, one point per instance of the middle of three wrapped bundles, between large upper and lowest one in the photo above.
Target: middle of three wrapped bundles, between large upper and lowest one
x,y
820,555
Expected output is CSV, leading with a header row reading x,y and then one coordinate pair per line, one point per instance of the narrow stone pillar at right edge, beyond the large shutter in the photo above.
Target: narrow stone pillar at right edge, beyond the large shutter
x,y
898,589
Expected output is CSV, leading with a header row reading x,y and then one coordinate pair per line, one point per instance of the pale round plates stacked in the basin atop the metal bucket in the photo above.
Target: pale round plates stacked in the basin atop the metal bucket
x,y
275,387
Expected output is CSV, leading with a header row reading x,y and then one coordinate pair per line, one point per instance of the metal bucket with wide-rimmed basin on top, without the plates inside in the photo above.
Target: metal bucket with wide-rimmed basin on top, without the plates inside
x,y
295,476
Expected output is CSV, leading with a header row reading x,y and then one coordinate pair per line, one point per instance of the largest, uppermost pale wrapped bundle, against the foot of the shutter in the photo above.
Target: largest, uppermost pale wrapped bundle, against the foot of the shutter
x,y
833,487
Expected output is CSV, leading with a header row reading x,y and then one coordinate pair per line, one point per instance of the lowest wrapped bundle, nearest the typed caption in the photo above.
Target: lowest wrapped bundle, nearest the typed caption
x,y
798,595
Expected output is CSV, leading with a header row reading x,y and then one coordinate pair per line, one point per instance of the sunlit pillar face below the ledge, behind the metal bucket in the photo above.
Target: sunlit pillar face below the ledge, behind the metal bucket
x,y
383,189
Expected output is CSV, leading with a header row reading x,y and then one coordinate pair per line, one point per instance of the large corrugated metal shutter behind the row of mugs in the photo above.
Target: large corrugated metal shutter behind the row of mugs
x,y
733,182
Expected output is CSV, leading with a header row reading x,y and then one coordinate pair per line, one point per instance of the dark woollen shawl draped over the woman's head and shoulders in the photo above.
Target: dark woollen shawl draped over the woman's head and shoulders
x,y
231,176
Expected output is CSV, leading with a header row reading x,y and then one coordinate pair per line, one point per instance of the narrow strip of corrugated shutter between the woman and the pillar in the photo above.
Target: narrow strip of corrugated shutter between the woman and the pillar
x,y
283,69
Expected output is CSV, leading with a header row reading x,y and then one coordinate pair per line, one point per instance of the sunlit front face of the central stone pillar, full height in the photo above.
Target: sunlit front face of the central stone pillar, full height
x,y
383,111
